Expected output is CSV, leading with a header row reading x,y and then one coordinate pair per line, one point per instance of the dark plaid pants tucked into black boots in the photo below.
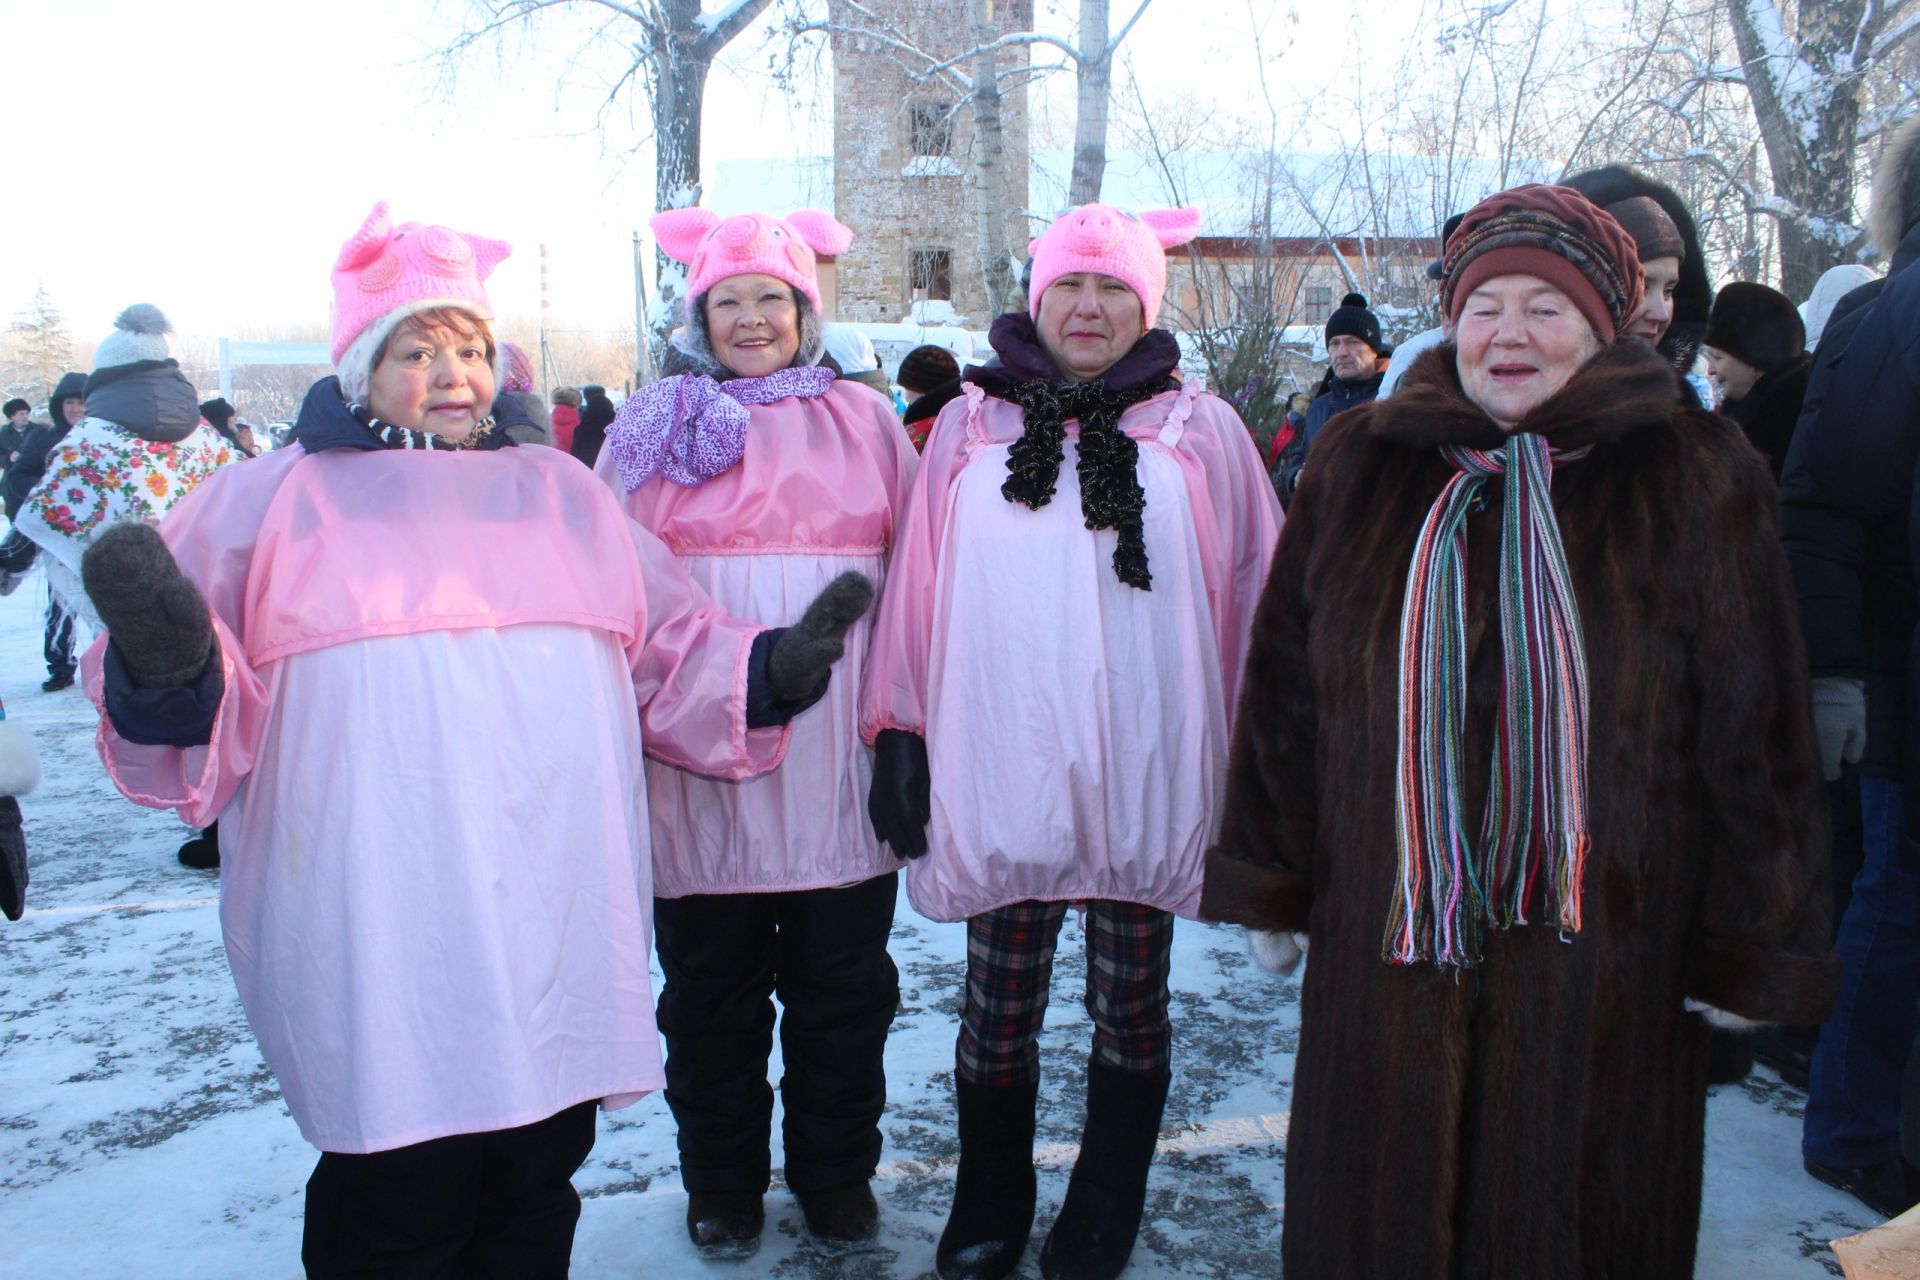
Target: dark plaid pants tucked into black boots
x,y
1011,966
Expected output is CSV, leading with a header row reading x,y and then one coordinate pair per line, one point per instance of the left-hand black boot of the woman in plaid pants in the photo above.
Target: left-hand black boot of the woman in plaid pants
x,y
994,1193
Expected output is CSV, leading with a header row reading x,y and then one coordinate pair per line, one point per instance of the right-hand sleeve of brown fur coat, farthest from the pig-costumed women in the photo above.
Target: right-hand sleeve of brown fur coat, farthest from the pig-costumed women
x,y
1762,945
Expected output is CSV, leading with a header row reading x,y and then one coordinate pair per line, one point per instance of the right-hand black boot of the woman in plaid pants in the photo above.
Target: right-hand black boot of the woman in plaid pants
x,y
1093,1235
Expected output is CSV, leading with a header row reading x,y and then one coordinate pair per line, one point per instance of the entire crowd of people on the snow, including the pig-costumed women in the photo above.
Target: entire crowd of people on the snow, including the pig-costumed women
x,y
1550,698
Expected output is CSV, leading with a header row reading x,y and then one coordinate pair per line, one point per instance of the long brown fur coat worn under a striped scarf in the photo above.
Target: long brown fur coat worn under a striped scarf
x,y
1541,1116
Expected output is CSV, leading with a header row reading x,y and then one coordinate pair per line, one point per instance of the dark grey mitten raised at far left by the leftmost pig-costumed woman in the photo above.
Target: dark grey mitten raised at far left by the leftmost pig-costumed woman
x,y
153,615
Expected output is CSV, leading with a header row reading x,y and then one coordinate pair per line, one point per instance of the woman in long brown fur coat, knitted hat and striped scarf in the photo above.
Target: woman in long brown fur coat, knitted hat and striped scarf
x,y
1535,565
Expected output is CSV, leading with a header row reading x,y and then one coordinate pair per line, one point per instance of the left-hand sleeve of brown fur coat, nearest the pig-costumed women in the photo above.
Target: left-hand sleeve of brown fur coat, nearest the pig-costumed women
x,y
1260,872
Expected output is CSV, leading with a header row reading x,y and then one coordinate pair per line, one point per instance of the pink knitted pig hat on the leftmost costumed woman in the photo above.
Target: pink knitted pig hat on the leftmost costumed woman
x,y
387,273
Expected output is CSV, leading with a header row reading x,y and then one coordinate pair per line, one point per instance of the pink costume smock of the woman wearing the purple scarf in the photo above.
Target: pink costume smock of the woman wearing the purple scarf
x,y
817,492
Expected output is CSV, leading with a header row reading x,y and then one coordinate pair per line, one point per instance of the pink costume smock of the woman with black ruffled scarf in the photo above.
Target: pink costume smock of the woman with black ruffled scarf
x,y
1076,726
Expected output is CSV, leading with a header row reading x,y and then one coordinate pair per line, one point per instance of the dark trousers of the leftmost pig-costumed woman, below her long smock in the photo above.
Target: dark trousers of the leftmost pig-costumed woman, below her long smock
x,y
496,1206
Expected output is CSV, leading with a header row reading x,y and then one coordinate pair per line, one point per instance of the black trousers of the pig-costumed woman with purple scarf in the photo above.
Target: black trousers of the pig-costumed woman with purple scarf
x,y
825,955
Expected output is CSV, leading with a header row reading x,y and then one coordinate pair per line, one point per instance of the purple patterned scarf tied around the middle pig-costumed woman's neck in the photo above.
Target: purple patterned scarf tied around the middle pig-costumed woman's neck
x,y
692,429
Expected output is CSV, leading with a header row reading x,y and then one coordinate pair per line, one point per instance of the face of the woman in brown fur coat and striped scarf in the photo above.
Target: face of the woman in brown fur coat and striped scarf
x,y
1520,343
